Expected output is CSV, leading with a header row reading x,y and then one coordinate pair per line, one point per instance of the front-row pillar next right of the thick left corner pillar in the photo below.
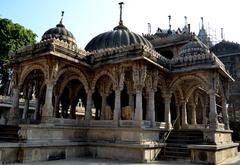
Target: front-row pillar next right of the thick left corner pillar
x,y
88,112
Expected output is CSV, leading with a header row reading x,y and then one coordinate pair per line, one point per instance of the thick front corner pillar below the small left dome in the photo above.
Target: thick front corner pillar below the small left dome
x,y
47,109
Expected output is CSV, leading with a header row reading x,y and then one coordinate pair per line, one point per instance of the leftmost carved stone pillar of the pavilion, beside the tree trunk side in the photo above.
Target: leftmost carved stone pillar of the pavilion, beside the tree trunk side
x,y
13,118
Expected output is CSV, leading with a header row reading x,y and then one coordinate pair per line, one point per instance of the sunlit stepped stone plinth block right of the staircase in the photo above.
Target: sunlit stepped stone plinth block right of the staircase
x,y
217,148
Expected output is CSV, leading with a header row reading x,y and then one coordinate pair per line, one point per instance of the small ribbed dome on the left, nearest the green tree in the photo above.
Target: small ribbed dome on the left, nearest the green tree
x,y
61,33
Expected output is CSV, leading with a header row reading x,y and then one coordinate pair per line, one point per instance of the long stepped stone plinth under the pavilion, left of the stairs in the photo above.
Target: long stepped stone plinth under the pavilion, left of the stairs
x,y
47,142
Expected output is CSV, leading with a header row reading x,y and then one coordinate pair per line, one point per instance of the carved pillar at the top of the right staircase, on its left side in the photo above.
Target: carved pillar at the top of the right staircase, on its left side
x,y
167,117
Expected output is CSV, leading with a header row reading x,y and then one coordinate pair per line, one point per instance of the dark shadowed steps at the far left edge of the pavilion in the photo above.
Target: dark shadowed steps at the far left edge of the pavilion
x,y
9,133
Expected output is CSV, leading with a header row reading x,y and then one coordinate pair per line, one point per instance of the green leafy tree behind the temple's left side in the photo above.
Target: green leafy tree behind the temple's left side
x,y
12,37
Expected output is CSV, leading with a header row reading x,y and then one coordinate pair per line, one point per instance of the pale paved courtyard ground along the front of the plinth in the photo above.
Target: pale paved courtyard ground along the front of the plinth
x,y
87,161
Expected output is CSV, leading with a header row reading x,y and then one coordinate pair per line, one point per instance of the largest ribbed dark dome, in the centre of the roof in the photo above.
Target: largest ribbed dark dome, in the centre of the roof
x,y
120,36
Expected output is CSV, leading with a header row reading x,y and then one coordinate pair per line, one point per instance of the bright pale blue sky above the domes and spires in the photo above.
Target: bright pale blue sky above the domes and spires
x,y
88,18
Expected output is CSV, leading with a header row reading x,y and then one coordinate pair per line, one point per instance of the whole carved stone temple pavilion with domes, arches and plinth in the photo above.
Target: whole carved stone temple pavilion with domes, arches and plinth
x,y
121,97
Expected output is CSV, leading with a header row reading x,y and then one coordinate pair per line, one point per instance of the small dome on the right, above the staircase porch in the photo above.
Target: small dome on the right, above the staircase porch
x,y
194,47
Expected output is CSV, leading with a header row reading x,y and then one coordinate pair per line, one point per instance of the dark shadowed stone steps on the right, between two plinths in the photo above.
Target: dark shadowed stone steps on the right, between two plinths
x,y
177,142
